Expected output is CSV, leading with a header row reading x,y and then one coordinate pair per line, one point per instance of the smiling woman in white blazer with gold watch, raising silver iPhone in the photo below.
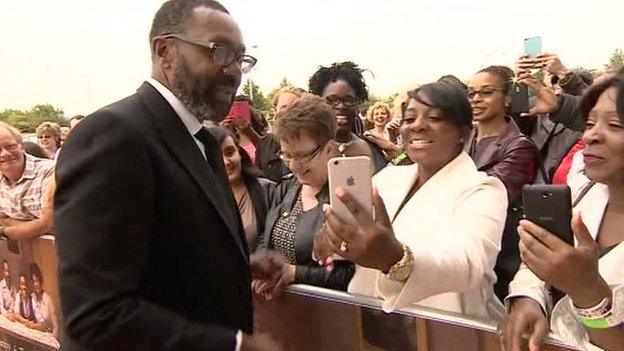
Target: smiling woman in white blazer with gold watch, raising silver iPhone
x,y
438,223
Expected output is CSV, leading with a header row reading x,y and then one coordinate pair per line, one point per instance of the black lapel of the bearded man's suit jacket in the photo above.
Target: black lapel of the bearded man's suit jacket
x,y
183,146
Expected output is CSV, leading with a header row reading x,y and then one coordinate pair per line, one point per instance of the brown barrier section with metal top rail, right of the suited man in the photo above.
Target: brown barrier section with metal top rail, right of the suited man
x,y
312,318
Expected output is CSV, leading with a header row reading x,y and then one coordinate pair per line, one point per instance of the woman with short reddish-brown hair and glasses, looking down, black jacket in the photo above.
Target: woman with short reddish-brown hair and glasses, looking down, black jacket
x,y
306,133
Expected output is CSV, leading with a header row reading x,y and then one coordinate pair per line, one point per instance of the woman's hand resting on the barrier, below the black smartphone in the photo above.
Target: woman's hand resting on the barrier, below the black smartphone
x,y
526,317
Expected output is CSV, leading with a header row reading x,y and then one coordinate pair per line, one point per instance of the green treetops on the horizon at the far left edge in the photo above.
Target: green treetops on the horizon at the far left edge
x,y
27,121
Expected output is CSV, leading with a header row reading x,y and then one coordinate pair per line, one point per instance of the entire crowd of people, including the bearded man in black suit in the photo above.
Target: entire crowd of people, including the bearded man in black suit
x,y
449,162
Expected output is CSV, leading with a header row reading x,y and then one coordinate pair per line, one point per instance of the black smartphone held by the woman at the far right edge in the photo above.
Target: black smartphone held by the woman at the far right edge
x,y
550,207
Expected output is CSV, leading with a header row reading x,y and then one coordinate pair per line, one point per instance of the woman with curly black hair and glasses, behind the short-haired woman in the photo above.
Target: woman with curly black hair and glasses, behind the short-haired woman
x,y
342,86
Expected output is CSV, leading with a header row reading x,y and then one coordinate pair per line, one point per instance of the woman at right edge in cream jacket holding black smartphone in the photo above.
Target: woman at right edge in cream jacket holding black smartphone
x,y
591,274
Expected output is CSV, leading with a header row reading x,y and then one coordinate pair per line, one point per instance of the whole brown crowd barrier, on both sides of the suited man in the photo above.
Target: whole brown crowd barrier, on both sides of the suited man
x,y
303,318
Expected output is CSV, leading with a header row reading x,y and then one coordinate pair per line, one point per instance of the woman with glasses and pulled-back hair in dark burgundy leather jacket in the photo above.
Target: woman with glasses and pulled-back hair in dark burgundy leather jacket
x,y
499,149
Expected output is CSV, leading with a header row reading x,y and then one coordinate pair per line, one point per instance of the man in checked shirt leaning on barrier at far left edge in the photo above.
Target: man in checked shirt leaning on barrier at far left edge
x,y
23,179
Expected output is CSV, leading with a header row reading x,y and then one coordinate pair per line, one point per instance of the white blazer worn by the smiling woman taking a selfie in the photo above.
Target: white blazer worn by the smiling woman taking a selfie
x,y
453,224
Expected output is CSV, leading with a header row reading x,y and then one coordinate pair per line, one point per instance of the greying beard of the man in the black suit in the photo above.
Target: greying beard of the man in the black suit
x,y
197,93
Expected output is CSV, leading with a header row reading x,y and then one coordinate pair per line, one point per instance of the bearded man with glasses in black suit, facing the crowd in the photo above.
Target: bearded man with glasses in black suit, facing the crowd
x,y
152,253
